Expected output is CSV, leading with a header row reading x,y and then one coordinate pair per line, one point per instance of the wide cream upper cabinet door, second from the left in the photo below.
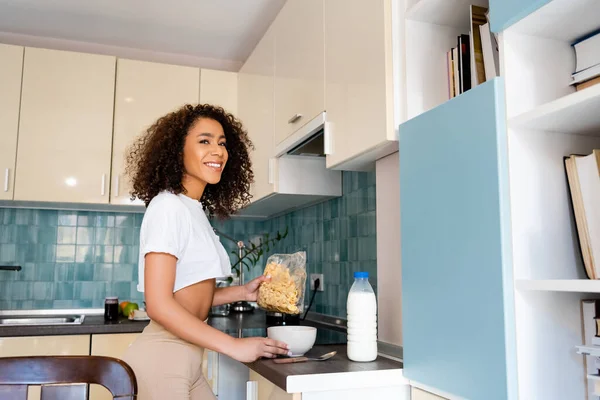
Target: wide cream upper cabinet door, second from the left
x,y
65,127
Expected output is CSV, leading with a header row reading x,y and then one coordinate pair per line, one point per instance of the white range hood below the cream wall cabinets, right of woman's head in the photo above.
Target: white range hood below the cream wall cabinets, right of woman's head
x,y
299,173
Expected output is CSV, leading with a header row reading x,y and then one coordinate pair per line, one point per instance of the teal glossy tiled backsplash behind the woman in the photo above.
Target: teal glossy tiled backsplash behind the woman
x,y
74,259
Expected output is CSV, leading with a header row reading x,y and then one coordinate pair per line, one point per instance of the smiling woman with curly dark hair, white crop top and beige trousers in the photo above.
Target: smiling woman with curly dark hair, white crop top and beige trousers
x,y
189,161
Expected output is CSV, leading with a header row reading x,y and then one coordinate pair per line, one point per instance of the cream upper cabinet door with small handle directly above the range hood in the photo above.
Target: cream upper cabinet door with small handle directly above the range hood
x,y
299,66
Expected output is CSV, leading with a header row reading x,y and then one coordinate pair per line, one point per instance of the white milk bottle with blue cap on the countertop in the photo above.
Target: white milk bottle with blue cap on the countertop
x,y
362,320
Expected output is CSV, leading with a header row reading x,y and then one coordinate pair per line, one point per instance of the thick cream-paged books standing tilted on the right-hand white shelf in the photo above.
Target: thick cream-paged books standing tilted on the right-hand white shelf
x,y
583,178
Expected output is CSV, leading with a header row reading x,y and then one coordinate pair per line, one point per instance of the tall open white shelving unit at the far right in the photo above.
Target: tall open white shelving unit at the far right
x,y
548,120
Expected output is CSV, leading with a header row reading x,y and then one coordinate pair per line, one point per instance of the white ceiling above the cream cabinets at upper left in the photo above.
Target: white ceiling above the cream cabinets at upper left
x,y
207,33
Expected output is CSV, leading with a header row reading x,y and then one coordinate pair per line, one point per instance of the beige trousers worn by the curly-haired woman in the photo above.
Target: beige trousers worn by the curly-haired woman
x,y
167,367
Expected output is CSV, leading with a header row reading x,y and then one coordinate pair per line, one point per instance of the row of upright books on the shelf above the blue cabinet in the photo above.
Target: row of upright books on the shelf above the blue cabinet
x,y
475,58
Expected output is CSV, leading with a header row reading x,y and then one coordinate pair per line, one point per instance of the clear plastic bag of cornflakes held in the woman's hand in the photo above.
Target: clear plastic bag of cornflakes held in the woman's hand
x,y
285,292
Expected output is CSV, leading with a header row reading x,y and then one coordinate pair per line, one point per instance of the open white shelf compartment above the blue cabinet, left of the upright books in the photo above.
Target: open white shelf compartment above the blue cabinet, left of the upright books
x,y
431,29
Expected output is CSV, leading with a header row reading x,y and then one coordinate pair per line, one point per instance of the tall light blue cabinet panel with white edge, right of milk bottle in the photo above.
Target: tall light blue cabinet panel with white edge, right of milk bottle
x,y
454,196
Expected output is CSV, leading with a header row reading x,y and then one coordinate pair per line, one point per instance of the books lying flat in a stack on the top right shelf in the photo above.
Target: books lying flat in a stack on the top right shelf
x,y
587,61
